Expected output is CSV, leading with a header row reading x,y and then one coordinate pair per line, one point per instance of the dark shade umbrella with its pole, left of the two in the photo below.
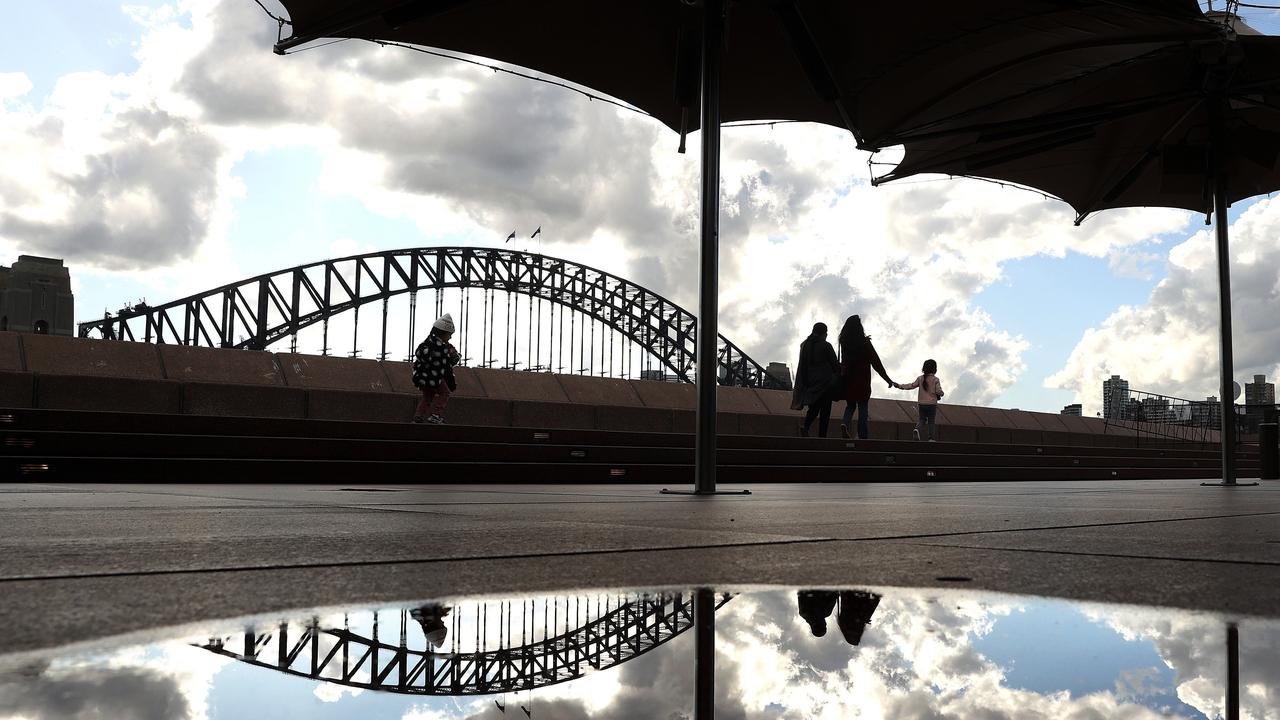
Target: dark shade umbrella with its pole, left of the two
x,y
673,60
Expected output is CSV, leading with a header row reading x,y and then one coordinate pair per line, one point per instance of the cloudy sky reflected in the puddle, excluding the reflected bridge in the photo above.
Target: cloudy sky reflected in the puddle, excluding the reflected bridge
x,y
925,655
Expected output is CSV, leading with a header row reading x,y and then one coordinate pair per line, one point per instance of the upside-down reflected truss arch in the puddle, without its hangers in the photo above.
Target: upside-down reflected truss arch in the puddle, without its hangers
x,y
344,658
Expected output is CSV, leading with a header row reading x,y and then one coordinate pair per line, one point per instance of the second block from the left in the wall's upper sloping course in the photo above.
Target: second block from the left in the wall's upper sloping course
x,y
80,357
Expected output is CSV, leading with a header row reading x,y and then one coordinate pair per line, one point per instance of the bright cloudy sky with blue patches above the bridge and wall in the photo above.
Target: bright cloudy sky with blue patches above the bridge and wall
x,y
162,149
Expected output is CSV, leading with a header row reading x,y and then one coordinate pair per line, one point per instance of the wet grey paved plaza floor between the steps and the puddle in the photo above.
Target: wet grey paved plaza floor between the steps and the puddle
x,y
80,563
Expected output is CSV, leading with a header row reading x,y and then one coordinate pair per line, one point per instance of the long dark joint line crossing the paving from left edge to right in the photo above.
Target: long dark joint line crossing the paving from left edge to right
x,y
610,552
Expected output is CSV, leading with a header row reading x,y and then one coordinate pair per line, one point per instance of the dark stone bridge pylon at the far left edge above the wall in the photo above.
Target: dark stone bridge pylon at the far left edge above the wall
x,y
36,298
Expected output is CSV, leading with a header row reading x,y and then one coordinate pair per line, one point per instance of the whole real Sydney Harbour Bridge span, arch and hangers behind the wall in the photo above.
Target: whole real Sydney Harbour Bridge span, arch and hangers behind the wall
x,y
513,309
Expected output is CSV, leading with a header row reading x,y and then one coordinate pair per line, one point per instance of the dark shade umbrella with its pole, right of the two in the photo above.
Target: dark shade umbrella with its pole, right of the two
x,y
1178,112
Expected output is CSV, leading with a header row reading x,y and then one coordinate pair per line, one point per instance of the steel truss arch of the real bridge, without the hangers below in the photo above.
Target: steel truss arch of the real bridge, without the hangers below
x,y
262,311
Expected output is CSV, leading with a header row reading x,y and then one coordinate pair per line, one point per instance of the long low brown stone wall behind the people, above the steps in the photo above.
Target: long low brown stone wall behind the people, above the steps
x,y
94,375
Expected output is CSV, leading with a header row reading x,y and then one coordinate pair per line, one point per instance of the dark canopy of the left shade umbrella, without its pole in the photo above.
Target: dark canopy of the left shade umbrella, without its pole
x,y
646,53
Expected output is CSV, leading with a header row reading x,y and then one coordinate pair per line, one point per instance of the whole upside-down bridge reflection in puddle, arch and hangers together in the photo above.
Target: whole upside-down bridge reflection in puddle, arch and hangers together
x,y
620,630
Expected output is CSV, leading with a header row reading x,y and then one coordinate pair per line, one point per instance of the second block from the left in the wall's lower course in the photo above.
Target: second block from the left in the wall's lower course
x,y
124,395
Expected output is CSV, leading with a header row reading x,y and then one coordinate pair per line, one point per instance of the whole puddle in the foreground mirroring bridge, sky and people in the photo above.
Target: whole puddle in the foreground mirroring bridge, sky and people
x,y
669,655
